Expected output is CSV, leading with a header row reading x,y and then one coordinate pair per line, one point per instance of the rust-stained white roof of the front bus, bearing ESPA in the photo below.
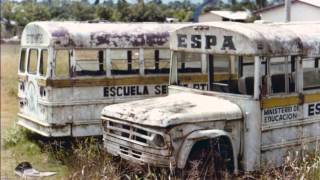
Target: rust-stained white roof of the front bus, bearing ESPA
x,y
249,39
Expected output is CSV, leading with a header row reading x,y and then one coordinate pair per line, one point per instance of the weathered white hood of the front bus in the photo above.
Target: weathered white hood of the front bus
x,y
174,109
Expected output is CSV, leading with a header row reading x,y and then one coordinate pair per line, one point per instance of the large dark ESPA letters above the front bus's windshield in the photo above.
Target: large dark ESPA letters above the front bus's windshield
x,y
210,41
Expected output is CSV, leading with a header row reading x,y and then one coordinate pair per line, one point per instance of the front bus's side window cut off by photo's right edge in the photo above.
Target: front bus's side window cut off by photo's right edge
x,y
311,74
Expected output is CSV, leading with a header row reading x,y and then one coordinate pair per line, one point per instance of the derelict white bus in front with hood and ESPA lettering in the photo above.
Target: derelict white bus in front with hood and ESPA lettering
x,y
268,106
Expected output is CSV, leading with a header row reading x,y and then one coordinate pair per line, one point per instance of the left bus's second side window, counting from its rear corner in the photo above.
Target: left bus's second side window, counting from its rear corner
x,y
89,62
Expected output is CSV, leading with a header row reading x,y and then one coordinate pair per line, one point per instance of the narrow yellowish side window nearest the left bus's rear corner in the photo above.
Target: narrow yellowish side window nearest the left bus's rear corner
x,y
62,59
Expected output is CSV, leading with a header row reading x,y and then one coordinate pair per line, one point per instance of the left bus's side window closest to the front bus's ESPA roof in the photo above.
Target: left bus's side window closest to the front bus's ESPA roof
x,y
156,61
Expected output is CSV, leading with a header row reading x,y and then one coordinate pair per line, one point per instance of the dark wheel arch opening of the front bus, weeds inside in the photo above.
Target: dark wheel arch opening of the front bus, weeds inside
x,y
205,162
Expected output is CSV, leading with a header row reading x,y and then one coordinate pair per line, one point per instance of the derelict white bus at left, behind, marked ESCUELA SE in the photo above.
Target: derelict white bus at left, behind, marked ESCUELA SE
x,y
69,71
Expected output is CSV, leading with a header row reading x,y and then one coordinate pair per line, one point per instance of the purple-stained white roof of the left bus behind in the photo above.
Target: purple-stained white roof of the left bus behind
x,y
96,35
